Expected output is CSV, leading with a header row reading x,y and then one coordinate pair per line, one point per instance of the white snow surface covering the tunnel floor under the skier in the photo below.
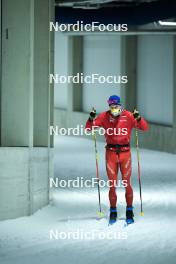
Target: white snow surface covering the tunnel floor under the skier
x,y
151,239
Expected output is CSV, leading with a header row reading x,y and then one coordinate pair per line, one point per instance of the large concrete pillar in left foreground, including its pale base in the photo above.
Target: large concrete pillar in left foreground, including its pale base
x,y
27,106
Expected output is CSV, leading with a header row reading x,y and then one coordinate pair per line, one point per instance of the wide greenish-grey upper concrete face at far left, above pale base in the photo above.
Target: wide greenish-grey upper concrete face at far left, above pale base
x,y
16,30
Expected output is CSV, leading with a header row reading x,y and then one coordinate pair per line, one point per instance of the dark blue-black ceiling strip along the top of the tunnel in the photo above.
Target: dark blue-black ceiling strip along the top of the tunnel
x,y
132,12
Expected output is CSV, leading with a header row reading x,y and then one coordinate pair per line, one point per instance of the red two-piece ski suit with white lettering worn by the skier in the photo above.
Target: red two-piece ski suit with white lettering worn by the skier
x,y
123,126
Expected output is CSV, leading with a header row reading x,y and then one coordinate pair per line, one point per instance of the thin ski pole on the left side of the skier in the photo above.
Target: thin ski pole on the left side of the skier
x,y
97,172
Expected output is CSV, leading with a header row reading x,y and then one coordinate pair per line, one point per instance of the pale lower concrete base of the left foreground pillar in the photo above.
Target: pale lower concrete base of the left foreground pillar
x,y
24,180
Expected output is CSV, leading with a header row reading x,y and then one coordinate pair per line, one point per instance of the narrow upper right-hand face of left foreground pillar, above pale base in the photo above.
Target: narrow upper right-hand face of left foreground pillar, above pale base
x,y
41,71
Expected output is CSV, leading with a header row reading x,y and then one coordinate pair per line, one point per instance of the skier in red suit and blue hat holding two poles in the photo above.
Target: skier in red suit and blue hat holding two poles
x,y
118,154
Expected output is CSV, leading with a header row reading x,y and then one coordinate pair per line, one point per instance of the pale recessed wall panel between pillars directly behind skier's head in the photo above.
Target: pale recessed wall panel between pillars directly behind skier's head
x,y
100,55
